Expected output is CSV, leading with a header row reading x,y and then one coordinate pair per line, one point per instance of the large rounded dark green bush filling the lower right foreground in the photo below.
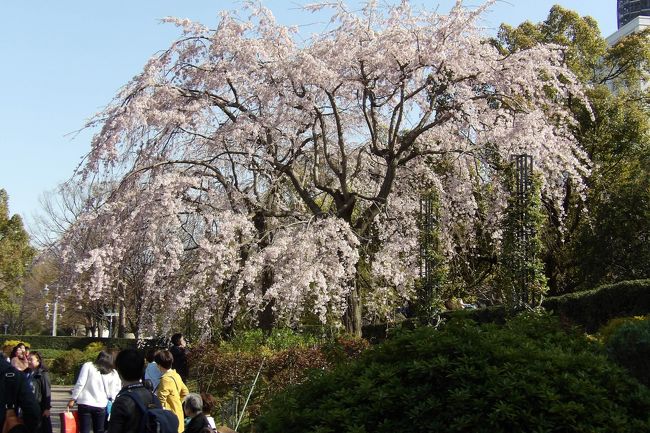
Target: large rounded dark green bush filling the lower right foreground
x,y
529,375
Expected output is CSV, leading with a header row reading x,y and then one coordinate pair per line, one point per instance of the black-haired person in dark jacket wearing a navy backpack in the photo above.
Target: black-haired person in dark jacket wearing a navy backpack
x,y
136,409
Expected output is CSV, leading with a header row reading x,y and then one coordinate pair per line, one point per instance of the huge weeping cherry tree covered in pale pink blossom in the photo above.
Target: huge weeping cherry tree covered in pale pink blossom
x,y
262,173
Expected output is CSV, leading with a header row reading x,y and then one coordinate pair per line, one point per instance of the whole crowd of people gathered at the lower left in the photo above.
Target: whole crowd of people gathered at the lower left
x,y
115,393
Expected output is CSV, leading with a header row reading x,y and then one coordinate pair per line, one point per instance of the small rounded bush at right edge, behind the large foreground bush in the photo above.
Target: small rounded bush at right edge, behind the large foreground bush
x,y
629,346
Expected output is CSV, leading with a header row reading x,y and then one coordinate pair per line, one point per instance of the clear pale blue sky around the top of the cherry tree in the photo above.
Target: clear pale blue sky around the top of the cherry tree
x,y
64,60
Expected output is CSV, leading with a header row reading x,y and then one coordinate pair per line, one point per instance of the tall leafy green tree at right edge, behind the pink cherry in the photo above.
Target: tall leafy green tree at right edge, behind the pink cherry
x,y
608,243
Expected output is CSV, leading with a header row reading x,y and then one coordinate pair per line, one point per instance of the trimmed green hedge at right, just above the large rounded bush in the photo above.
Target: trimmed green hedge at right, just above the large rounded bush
x,y
594,308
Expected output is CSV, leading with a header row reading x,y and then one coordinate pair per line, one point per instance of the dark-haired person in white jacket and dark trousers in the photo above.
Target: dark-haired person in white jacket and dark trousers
x,y
98,383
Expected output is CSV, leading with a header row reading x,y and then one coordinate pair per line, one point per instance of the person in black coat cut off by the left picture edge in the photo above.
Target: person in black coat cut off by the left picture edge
x,y
14,382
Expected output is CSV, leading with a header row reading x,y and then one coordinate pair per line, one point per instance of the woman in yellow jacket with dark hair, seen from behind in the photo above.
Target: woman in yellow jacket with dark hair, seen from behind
x,y
171,389
